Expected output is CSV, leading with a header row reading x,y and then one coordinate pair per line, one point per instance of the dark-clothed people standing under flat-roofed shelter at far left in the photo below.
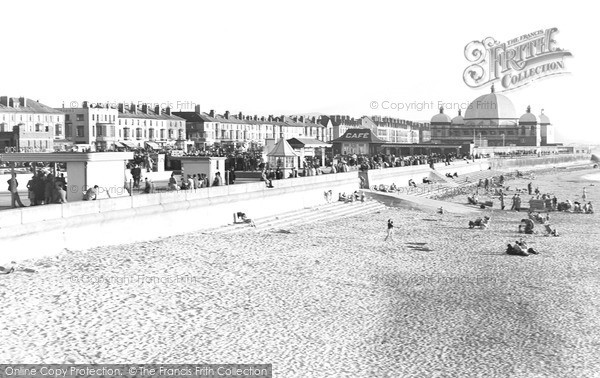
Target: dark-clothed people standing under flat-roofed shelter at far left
x,y
43,188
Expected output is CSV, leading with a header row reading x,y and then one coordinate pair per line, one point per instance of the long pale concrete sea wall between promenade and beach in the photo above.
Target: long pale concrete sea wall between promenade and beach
x,y
34,232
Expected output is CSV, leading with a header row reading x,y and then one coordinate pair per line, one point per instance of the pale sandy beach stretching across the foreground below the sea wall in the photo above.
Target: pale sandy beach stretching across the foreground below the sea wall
x,y
328,299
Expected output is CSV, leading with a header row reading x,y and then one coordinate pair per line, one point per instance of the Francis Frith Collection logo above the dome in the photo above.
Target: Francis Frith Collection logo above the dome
x,y
515,63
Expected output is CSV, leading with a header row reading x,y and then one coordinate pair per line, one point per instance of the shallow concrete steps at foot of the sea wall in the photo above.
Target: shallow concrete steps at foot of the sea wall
x,y
320,213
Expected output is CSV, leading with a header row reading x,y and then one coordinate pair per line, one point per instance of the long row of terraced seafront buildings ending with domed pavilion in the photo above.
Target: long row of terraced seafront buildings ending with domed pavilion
x,y
489,121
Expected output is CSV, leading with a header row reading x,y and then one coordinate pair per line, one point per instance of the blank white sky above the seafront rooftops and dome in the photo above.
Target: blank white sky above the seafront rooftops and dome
x,y
291,57
